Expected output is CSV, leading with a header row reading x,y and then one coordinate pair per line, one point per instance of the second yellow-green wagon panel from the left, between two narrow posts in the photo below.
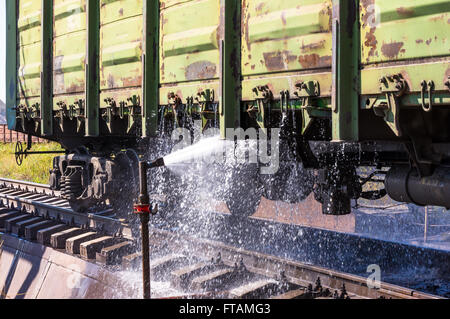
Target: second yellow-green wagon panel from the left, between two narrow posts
x,y
69,48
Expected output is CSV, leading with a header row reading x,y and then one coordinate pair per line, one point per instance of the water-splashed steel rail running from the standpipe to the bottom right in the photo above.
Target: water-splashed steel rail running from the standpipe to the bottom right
x,y
297,273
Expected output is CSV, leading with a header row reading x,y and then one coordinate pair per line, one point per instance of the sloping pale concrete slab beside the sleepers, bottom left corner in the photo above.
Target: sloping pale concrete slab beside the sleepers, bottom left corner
x,y
32,271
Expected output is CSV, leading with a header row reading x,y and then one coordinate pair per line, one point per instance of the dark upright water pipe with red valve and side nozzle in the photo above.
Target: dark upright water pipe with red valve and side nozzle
x,y
144,209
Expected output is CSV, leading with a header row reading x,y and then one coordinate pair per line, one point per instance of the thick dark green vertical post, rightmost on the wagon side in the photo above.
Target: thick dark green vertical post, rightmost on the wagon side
x,y
346,80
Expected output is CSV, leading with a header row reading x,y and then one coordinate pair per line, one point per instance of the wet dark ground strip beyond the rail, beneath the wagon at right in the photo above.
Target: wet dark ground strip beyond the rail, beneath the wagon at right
x,y
400,263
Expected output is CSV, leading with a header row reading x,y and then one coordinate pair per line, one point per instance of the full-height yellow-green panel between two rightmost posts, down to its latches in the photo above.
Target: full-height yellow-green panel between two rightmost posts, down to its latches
x,y
286,43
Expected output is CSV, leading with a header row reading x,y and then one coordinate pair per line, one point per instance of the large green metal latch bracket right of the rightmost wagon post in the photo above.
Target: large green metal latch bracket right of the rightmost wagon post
x,y
393,86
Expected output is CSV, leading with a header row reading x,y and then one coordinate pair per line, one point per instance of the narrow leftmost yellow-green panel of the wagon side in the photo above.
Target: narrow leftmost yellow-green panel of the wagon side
x,y
29,48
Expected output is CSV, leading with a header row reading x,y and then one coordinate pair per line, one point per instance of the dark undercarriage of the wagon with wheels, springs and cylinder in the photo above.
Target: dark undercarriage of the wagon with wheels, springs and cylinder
x,y
309,163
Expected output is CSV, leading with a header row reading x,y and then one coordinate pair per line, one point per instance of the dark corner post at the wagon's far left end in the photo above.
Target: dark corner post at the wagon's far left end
x,y
11,63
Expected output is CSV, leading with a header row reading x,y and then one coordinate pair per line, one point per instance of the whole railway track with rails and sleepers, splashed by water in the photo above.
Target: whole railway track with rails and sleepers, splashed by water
x,y
195,268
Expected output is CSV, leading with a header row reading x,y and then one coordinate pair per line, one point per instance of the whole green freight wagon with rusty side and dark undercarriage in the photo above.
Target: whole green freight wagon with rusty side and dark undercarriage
x,y
350,83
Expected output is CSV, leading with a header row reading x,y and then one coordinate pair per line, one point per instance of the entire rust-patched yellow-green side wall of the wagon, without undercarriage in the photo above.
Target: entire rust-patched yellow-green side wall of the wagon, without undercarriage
x,y
280,44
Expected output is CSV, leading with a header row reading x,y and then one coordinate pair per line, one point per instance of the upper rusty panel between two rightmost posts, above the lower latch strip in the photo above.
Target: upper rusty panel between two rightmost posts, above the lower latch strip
x,y
289,35
